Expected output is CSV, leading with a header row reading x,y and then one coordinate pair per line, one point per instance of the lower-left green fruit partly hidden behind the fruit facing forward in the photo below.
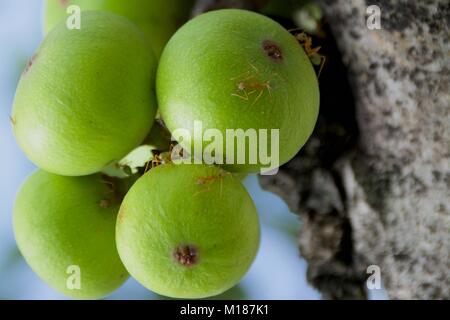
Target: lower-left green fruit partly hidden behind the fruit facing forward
x,y
63,221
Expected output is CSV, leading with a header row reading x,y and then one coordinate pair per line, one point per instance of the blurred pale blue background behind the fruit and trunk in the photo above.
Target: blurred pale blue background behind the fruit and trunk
x,y
277,273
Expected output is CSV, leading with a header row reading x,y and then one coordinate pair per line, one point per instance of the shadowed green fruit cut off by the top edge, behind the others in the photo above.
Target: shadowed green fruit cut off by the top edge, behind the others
x,y
158,19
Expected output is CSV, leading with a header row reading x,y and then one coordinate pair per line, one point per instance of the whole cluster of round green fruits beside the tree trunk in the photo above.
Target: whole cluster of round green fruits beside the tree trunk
x,y
88,97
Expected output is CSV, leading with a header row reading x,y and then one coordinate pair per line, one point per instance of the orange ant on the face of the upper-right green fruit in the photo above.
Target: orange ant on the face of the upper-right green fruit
x,y
250,84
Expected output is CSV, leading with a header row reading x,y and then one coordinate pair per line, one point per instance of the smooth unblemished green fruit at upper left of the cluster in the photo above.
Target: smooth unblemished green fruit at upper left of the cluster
x,y
86,98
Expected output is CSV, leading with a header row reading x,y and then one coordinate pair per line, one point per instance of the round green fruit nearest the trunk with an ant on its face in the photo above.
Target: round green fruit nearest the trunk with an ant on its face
x,y
204,63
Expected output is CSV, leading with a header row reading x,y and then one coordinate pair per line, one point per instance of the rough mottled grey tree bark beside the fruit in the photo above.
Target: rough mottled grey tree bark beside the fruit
x,y
387,201
